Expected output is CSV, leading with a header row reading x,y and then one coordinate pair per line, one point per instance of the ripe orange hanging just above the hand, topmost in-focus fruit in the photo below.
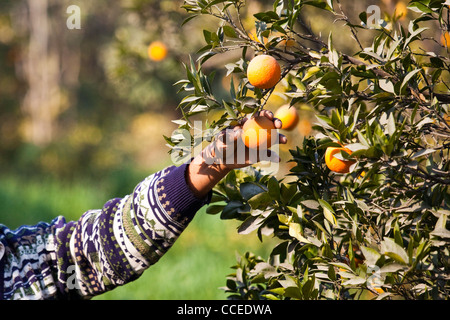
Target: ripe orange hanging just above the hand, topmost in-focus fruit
x,y
263,71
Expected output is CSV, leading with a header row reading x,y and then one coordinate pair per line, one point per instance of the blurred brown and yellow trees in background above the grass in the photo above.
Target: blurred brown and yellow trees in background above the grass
x,y
88,100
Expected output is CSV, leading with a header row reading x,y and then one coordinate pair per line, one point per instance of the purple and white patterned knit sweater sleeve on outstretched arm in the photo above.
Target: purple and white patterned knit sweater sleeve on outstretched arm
x,y
104,249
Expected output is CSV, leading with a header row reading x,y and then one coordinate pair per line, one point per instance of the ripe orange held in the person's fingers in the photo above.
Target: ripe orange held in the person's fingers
x,y
257,132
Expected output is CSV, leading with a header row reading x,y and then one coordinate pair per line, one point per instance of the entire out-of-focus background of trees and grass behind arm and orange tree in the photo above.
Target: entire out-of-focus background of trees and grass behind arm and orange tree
x,y
83,113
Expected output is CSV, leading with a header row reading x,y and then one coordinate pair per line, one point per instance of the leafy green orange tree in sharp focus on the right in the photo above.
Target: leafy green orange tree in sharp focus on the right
x,y
380,230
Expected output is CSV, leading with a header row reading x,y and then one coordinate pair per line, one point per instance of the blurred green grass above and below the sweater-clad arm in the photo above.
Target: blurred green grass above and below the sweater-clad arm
x,y
193,269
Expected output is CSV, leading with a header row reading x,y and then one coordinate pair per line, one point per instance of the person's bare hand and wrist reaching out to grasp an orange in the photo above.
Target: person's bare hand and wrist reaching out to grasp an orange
x,y
223,155
